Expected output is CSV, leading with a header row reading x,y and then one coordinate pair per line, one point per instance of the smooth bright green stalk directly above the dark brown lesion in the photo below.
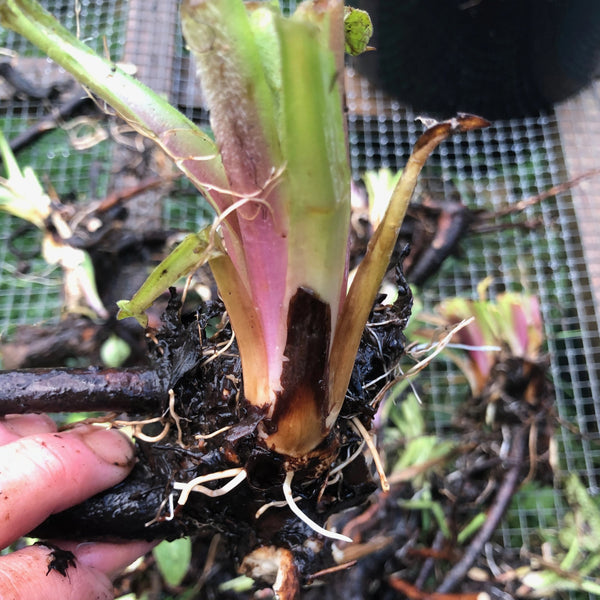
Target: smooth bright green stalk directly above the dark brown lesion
x,y
315,149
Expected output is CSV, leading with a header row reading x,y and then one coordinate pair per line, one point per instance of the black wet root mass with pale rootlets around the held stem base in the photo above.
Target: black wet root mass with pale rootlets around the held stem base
x,y
208,398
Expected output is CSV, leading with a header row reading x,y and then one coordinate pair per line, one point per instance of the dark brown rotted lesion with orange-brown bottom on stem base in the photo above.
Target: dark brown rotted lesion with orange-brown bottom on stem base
x,y
298,420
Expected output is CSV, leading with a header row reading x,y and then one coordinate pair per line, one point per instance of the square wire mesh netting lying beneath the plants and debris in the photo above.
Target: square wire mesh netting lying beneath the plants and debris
x,y
538,250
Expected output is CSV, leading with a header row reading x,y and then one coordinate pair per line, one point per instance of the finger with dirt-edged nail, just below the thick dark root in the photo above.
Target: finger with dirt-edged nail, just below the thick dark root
x,y
46,473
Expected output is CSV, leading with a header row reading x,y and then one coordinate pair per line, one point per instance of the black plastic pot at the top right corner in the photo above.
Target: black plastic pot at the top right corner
x,y
496,58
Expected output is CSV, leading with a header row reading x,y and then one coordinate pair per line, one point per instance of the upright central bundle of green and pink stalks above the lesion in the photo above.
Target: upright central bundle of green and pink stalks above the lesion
x,y
280,128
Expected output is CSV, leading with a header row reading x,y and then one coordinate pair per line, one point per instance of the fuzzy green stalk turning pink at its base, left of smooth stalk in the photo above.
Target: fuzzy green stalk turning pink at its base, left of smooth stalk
x,y
243,117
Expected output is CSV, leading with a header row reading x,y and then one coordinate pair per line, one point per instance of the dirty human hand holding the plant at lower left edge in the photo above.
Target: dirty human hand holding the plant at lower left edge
x,y
43,472
